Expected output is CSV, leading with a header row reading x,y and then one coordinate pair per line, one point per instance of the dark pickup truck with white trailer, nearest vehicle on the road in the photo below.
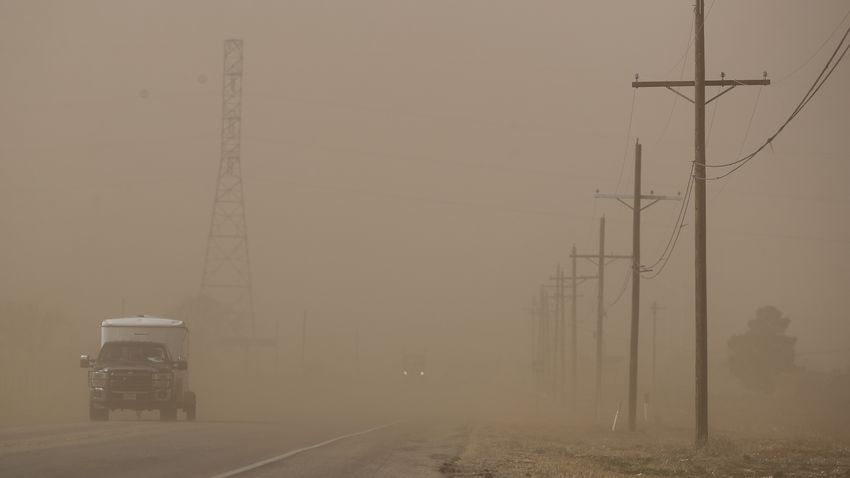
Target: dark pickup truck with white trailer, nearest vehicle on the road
x,y
142,365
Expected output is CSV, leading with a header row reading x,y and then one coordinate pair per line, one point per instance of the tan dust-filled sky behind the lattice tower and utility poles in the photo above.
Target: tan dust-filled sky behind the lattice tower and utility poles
x,y
419,167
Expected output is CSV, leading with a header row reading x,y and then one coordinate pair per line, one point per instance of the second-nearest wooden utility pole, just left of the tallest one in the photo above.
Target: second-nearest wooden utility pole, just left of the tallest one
x,y
636,270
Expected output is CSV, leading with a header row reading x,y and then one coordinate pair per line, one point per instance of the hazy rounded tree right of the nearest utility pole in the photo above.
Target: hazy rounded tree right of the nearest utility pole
x,y
763,351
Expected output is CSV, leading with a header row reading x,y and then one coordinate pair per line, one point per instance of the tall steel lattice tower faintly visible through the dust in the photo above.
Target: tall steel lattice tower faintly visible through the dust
x,y
227,268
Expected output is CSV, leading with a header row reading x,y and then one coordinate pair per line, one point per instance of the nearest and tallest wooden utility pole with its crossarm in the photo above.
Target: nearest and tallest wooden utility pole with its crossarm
x,y
700,261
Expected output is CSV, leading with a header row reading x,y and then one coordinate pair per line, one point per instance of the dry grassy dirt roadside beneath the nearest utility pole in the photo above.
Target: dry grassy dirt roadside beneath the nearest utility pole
x,y
547,450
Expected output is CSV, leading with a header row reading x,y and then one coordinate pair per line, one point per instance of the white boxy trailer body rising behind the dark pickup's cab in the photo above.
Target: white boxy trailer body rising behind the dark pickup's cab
x,y
172,333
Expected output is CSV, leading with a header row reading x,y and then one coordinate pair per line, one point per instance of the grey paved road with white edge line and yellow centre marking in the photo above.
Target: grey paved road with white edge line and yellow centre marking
x,y
138,448
